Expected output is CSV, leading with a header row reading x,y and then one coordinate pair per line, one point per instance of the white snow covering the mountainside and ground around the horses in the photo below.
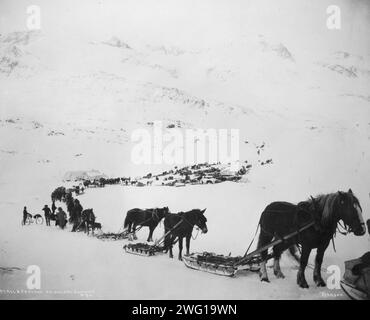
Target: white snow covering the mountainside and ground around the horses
x,y
72,93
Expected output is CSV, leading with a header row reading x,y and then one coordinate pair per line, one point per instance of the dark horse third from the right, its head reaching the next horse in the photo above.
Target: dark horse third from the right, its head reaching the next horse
x,y
145,218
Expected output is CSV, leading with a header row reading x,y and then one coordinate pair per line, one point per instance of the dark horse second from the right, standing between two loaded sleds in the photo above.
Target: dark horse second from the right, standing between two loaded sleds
x,y
187,221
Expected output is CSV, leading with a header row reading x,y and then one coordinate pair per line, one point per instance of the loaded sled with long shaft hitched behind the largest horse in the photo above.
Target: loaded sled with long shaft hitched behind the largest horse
x,y
229,266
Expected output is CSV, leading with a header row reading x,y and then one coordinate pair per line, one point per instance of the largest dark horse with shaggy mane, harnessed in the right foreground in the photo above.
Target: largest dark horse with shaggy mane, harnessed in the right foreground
x,y
326,210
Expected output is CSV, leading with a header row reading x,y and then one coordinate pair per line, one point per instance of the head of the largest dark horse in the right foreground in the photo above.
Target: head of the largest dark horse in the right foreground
x,y
350,212
